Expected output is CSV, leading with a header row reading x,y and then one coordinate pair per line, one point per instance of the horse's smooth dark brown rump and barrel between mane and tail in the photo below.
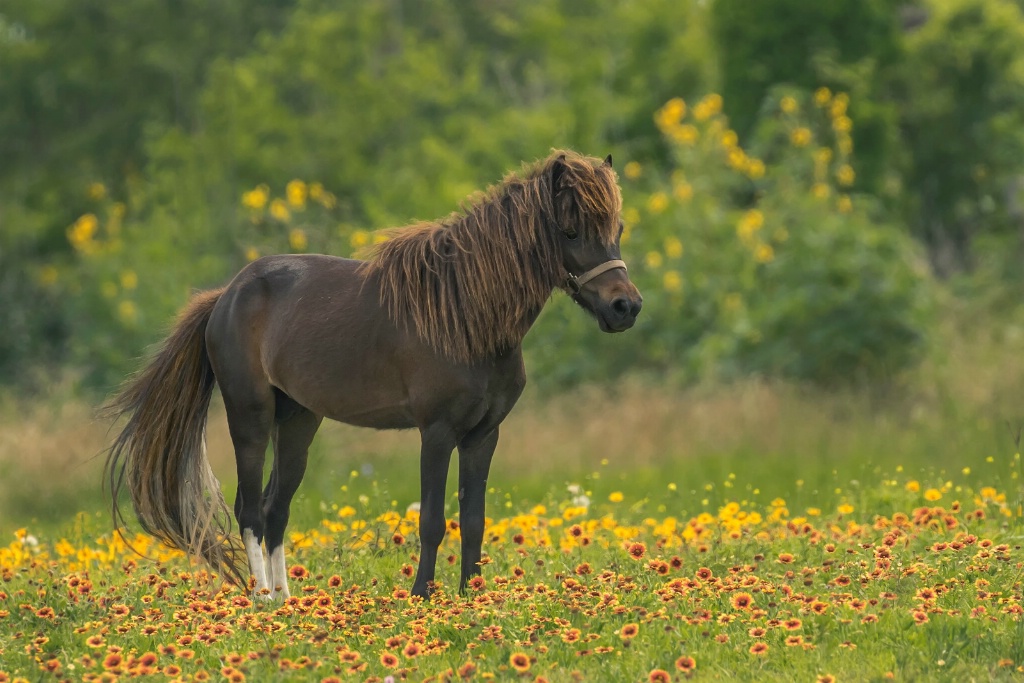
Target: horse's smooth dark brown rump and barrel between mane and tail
x,y
313,327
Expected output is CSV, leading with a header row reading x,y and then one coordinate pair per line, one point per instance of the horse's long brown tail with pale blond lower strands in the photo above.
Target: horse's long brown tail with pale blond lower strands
x,y
160,456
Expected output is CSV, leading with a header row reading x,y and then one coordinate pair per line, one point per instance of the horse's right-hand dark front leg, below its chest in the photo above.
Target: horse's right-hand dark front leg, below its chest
x,y
475,463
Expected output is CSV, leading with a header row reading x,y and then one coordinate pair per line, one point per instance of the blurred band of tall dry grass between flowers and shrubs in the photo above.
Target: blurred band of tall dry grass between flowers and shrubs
x,y
963,403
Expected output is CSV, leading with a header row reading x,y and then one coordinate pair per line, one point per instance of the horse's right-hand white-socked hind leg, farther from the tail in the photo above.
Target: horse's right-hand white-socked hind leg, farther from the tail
x,y
293,435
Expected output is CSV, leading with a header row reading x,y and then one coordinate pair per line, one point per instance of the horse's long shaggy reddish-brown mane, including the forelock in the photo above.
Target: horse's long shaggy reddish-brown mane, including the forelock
x,y
473,284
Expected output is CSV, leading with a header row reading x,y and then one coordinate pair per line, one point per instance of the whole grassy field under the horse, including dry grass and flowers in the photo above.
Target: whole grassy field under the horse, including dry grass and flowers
x,y
753,532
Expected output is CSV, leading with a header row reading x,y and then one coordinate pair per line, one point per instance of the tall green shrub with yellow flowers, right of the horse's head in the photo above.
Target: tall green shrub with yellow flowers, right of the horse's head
x,y
750,264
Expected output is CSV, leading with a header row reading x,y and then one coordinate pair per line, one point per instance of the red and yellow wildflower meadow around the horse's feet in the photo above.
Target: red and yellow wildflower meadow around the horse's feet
x,y
910,582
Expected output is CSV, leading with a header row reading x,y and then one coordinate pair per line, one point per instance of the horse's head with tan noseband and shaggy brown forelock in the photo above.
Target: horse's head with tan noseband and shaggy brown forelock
x,y
588,207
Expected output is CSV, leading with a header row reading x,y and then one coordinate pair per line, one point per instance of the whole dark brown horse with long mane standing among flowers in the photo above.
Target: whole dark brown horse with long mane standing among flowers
x,y
426,334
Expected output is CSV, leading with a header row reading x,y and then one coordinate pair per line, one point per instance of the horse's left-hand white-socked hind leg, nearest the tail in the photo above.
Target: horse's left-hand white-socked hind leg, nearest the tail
x,y
250,418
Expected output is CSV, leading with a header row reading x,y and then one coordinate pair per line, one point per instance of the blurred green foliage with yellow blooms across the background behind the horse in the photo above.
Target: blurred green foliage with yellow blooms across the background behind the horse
x,y
154,152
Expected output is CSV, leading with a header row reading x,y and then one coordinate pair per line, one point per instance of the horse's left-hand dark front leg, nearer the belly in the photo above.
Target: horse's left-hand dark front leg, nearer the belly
x,y
436,454
